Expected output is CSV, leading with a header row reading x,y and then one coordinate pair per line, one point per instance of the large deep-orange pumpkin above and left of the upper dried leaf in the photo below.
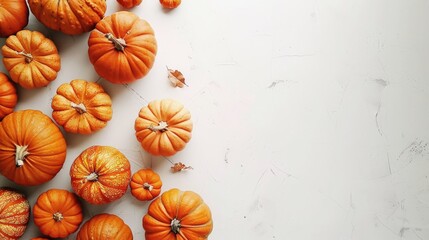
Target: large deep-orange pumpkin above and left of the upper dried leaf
x,y
122,47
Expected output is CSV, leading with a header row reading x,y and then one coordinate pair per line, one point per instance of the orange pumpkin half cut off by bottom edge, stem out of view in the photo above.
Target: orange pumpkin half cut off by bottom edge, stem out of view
x,y
105,227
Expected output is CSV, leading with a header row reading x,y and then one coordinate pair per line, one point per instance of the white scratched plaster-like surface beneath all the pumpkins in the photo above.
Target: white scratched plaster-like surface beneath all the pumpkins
x,y
310,116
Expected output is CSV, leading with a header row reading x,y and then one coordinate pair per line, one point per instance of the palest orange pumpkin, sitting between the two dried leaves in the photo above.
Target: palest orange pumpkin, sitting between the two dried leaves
x,y
163,127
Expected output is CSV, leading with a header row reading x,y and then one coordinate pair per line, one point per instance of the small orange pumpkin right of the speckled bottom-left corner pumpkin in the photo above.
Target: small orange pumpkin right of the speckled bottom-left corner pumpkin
x,y
57,213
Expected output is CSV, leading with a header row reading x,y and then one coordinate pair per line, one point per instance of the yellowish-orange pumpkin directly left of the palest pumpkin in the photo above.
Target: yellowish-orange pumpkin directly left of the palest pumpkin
x,y
81,107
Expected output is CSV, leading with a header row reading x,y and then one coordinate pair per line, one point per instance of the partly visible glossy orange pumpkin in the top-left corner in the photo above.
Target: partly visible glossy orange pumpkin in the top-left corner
x,y
13,16
